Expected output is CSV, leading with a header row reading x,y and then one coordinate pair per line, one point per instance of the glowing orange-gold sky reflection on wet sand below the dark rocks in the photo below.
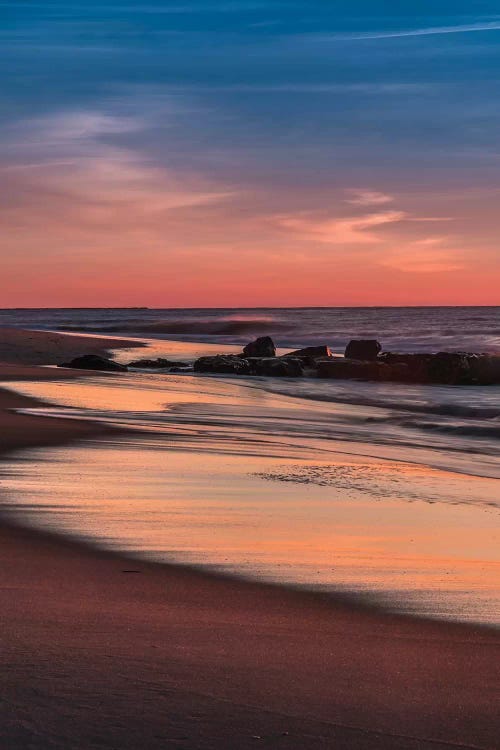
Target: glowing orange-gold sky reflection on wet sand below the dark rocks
x,y
242,480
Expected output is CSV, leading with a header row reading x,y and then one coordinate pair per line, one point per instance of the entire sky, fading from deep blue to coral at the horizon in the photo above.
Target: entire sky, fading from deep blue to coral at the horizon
x,y
194,153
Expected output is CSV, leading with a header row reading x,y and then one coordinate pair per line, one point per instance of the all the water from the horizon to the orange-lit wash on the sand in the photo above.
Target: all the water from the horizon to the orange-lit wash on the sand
x,y
385,491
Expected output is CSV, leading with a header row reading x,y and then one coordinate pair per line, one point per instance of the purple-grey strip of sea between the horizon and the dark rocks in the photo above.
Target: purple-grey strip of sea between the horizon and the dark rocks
x,y
404,329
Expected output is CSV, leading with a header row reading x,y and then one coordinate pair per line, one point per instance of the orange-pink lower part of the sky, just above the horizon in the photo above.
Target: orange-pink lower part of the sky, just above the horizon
x,y
115,231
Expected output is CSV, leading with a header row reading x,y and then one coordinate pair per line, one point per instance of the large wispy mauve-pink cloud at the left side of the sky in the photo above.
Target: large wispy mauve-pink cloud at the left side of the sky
x,y
93,174
